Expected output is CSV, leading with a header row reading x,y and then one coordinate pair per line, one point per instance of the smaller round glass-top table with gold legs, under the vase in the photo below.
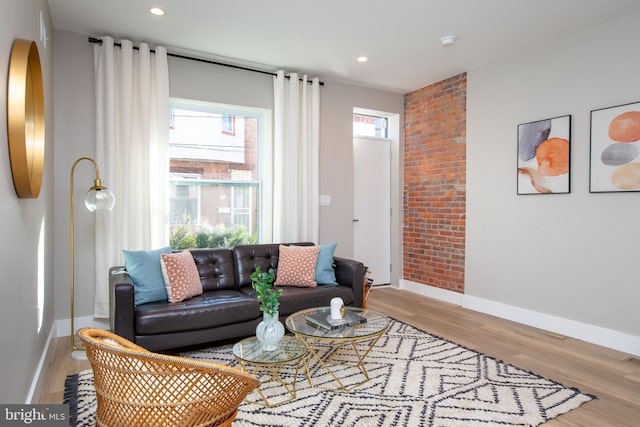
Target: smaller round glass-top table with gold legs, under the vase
x,y
253,359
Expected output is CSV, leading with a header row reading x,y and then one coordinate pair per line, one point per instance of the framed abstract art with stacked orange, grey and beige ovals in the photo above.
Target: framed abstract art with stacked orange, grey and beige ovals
x,y
615,149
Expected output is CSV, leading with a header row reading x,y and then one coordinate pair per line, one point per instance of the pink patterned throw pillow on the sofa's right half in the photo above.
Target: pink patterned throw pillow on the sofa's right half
x,y
297,266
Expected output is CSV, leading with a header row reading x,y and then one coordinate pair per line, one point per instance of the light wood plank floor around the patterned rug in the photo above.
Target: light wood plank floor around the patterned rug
x,y
612,376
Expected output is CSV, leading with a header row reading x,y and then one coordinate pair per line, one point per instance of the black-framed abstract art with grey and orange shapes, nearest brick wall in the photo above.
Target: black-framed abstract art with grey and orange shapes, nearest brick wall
x,y
544,156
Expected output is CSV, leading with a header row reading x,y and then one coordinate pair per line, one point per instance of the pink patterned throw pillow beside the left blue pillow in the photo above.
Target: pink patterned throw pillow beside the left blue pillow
x,y
181,277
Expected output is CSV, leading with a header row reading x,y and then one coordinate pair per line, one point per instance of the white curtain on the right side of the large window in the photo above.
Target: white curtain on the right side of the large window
x,y
296,158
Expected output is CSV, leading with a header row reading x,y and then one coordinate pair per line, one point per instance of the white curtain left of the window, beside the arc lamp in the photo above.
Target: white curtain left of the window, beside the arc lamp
x,y
132,138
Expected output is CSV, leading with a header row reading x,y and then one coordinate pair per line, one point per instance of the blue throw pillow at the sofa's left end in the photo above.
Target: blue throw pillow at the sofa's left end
x,y
146,273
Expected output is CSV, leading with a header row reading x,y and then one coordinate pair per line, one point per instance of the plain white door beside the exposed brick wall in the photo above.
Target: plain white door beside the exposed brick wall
x,y
372,206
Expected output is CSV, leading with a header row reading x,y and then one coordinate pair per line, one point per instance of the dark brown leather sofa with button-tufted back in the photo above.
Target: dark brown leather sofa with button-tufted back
x,y
228,307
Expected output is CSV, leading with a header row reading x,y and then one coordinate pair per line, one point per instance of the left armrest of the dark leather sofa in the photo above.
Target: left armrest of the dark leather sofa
x,y
121,303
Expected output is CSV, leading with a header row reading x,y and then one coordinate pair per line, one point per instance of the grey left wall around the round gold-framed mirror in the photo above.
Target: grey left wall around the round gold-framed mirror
x,y
21,221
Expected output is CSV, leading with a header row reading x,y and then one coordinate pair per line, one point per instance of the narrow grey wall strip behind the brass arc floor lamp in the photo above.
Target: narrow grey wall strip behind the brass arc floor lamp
x,y
74,132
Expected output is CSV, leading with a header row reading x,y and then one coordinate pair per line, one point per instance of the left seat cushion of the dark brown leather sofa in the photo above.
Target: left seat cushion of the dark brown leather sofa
x,y
211,309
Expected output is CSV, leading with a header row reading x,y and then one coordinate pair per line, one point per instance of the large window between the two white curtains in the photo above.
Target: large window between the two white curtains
x,y
215,174
